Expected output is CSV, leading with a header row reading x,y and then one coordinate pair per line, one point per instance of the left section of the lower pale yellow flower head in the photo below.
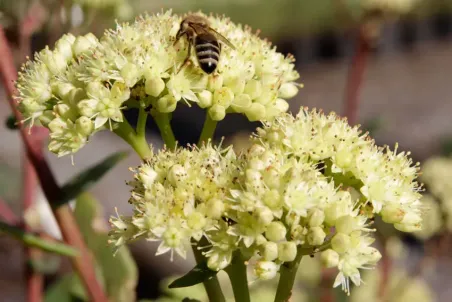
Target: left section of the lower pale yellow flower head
x,y
178,196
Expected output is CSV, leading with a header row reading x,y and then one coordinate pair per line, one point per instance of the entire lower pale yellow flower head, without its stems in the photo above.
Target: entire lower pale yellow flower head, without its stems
x,y
288,195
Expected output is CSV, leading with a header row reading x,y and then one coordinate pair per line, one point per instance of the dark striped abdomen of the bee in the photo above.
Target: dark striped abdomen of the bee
x,y
208,52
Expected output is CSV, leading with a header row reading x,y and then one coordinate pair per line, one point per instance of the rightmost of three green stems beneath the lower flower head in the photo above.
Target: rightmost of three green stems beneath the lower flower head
x,y
288,271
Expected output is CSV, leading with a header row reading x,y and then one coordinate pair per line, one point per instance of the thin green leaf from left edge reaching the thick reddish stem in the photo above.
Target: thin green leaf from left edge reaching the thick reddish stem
x,y
35,241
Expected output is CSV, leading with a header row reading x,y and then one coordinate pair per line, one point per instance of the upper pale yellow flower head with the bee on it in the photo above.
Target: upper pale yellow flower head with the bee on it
x,y
84,84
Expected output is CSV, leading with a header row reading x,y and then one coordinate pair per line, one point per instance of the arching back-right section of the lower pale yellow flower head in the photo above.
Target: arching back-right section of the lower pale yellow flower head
x,y
386,179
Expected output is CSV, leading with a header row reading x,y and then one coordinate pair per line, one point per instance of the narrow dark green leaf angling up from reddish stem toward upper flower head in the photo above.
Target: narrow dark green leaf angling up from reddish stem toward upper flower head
x,y
85,179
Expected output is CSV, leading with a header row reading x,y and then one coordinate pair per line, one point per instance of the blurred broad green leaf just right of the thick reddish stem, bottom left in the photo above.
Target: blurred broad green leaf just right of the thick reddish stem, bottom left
x,y
119,273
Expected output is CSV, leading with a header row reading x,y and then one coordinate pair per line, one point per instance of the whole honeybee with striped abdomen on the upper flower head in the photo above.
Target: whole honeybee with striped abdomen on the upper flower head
x,y
204,39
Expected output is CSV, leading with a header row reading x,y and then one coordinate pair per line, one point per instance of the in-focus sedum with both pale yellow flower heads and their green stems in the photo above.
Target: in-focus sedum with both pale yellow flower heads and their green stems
x,y
286,196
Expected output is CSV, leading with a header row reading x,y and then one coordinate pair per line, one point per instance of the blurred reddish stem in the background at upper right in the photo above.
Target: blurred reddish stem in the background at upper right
x,y
355,78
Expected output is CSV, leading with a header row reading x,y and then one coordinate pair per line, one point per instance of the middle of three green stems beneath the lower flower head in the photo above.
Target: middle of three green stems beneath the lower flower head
x,y
237,274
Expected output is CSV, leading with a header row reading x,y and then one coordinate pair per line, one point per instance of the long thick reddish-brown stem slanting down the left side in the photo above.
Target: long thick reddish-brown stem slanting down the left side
x,y
83,264
